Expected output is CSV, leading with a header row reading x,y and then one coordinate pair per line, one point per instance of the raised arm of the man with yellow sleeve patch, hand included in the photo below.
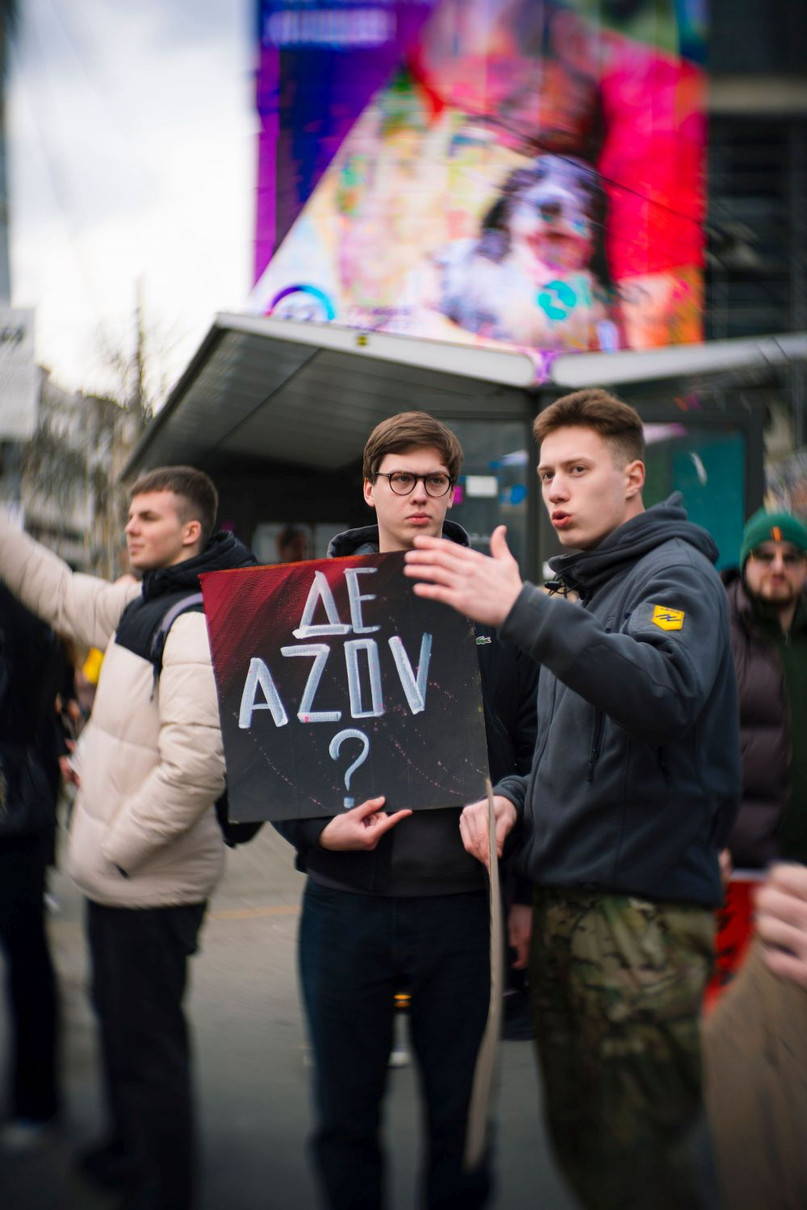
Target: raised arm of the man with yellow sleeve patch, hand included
x,y
649,679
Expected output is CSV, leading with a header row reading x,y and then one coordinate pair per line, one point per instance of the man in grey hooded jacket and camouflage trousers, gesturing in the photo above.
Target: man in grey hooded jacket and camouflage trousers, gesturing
x,y
633,787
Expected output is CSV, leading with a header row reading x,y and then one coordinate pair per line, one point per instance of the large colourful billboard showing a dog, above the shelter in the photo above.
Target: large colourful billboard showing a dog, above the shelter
x,y
522,174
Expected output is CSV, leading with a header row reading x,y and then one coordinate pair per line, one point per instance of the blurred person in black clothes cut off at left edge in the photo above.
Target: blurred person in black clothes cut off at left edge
x,y
31,666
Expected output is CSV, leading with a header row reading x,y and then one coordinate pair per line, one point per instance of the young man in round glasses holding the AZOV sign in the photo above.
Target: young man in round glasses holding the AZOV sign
x,y
394,903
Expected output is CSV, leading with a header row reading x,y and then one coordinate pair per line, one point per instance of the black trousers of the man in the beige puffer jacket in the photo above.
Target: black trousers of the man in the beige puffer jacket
x,y
140,970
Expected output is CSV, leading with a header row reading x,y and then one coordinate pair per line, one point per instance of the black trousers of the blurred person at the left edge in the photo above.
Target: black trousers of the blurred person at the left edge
x,y
31,982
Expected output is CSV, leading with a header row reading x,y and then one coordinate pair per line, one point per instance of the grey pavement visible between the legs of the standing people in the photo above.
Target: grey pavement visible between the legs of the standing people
x,y
252,1074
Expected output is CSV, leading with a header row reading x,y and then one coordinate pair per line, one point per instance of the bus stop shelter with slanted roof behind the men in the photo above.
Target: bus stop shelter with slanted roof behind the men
x,y
278,413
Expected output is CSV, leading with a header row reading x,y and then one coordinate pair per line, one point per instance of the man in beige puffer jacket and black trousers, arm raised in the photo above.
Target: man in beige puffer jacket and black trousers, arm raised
x,y
146,846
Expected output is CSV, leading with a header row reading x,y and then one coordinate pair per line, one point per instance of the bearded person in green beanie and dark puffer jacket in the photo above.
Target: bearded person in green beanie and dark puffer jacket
x,y
769,613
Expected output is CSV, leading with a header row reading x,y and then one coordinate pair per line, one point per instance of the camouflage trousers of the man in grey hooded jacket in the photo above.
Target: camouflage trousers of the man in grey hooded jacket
x,y
616,987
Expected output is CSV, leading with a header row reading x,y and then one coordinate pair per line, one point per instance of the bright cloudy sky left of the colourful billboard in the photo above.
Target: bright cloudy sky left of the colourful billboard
x,y
132,158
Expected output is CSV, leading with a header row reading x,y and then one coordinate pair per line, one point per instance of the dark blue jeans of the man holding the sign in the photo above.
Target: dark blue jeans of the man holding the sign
x,y
356,953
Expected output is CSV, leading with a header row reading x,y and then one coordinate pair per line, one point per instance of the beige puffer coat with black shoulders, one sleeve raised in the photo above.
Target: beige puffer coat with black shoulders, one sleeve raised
x,y
152,759
